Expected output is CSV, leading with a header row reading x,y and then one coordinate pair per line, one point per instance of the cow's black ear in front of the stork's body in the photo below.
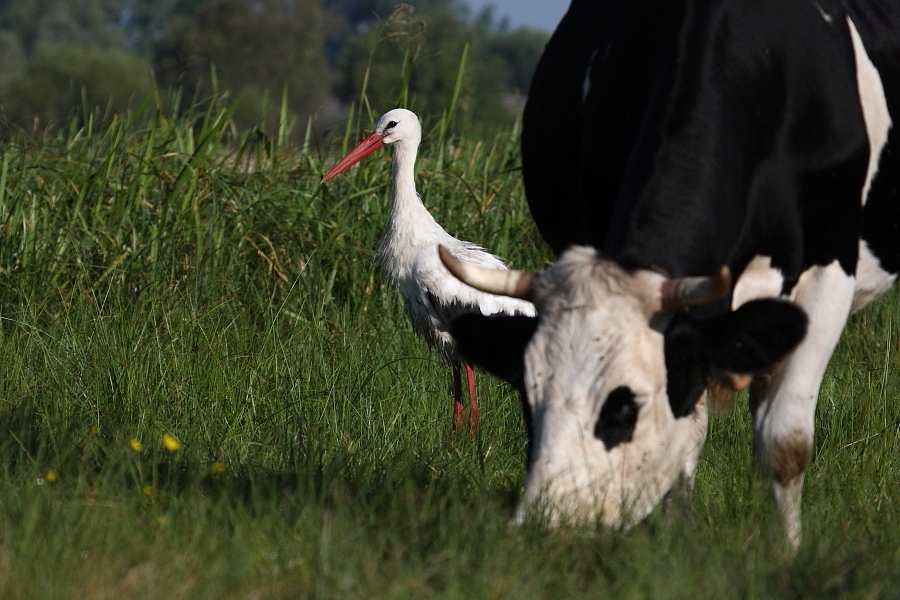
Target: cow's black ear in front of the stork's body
x,y
495,344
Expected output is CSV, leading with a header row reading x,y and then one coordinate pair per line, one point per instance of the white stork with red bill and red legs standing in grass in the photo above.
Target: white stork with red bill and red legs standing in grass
x,y
409,254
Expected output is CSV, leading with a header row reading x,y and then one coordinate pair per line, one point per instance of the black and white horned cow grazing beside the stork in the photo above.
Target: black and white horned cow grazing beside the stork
x,y
678,137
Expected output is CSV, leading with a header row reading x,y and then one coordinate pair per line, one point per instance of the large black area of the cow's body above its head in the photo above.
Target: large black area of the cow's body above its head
x,y
723,134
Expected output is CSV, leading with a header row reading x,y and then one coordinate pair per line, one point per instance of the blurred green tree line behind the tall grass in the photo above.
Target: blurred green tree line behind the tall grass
x,y
59,58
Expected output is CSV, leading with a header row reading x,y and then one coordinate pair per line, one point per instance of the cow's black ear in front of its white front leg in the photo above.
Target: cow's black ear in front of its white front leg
x,y
754,337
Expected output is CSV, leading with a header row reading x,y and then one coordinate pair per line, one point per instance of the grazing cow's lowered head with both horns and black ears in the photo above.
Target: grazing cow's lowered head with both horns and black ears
x,y
613,373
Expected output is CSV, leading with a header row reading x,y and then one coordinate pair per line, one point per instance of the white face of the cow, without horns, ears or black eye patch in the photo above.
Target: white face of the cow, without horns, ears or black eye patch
x,y
594,336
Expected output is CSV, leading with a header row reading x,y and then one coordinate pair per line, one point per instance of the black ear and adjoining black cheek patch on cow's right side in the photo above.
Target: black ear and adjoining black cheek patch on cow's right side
x,y
750,340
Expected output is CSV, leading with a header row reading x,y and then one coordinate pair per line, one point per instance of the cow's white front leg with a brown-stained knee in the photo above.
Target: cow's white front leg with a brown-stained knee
x,y
784,411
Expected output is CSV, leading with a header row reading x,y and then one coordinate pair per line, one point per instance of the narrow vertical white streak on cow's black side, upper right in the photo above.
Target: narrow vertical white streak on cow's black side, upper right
x,y
874,106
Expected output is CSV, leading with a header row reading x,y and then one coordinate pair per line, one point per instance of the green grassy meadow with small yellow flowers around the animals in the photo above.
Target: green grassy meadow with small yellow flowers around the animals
x,y
208,391
